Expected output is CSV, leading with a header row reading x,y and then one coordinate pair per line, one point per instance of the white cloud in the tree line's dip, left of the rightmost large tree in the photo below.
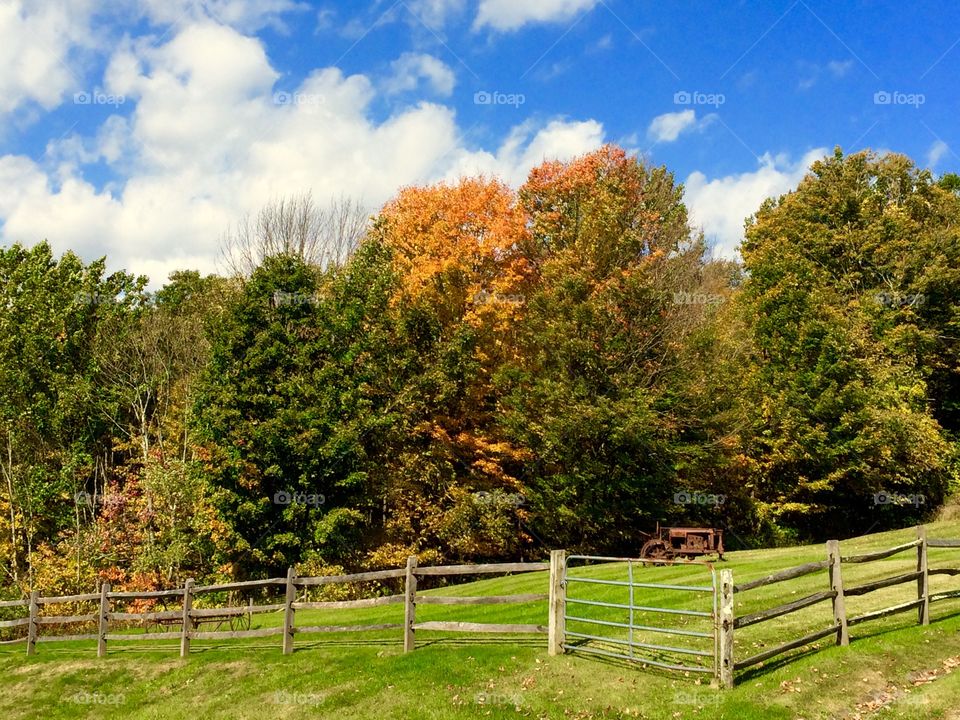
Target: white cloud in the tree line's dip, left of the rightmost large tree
x,y
721,205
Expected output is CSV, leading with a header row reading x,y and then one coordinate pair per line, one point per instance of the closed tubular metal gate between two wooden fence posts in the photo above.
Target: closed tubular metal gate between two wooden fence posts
x,y
595,624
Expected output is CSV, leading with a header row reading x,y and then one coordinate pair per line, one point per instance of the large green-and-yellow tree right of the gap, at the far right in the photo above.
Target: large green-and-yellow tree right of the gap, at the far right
x,y
851,299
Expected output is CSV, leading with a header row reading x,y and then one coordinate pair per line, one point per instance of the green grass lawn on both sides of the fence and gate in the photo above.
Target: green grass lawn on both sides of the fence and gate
x,y
893,668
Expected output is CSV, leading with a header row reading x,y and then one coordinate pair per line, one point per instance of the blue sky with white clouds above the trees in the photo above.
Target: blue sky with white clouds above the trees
x,y
141,129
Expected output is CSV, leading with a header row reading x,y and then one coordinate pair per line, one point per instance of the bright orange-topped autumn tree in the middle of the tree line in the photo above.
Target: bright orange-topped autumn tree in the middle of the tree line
x,y
459,254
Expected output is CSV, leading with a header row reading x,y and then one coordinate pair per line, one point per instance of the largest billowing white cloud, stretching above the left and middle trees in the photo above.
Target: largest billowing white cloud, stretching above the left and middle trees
x,y
208,139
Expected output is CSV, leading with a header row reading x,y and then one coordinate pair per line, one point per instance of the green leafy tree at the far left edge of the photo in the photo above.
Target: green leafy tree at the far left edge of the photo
x,y
49,433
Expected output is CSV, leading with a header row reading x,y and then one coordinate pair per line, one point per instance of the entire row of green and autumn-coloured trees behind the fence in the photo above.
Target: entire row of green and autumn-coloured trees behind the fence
x,y
478,372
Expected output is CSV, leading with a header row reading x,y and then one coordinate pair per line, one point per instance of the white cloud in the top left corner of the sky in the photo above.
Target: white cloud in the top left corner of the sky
x,y
37,41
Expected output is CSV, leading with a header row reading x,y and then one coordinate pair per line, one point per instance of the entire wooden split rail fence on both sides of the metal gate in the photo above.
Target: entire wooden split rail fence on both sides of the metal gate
x,y
726,622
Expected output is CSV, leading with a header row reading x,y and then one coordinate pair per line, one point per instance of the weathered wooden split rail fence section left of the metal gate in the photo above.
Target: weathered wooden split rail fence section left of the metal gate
x,y
189,618
